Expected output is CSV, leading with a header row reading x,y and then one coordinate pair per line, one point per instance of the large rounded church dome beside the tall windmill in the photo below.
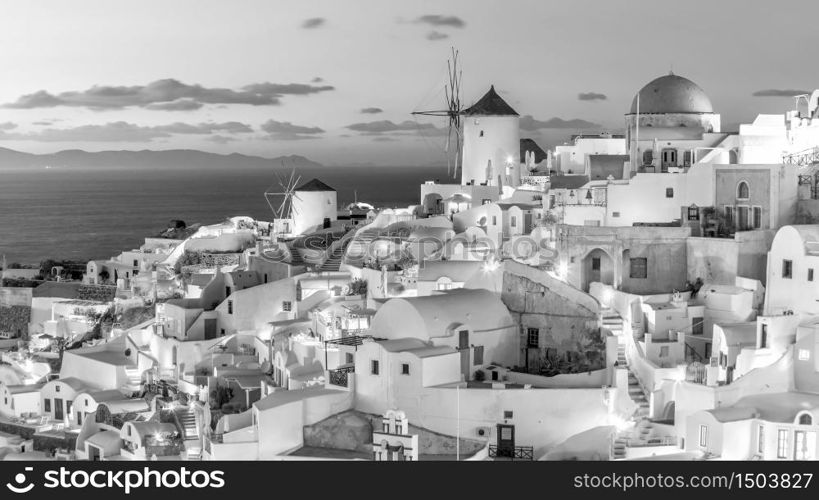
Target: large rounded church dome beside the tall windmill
x,y
672,94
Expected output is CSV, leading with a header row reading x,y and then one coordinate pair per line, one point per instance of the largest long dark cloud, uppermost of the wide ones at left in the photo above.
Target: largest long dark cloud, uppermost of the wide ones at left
x,y
166,94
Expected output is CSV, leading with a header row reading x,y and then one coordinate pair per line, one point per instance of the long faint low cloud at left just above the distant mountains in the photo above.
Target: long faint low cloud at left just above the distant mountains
x,y
125,132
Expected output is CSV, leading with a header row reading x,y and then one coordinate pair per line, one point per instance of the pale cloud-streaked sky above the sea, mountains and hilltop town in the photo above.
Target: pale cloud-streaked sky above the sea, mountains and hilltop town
x,y
337,81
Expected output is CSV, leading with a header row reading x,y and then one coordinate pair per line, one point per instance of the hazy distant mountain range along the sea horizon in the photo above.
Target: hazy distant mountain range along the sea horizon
x,y
173,158
